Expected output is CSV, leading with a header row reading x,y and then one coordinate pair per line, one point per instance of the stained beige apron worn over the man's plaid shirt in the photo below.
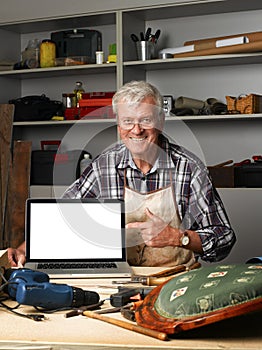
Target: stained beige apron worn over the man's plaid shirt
x,y
163,204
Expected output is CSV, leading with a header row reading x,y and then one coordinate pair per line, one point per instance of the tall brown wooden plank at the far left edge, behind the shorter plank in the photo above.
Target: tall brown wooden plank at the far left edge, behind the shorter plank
x,y
6,127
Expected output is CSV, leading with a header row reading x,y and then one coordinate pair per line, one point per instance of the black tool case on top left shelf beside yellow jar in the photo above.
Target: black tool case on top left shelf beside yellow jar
x,y
77,42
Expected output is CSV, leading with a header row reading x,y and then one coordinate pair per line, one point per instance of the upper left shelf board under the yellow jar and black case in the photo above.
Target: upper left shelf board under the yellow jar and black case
x,y
59,71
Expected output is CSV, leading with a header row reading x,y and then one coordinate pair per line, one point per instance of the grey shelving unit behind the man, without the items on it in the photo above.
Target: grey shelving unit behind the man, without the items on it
x,y
214,138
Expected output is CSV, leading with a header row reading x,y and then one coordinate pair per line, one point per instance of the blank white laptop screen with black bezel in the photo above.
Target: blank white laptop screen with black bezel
x,y
75,230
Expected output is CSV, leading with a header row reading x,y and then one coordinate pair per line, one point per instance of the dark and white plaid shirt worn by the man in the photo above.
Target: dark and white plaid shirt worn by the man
x,y
199,204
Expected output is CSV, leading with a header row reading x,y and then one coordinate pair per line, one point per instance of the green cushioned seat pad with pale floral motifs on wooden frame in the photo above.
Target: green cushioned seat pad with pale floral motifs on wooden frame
x,y
209,289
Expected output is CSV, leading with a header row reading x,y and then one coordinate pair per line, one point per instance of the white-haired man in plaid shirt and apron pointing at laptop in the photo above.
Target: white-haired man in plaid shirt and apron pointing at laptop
x,y
174,214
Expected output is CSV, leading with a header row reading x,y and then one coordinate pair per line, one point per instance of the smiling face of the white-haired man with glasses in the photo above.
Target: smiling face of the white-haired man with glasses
x,y
139,125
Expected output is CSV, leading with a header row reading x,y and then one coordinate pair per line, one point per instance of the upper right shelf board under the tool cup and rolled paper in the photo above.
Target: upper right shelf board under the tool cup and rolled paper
x,y
197,61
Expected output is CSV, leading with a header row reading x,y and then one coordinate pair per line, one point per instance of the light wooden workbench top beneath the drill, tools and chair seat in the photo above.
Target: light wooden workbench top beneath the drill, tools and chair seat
x,y
80,332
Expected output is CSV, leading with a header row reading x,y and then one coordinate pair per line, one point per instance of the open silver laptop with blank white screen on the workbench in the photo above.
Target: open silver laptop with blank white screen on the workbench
x,y
71,238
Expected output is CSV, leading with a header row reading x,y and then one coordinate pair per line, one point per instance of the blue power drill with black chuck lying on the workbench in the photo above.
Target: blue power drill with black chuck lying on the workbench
x,y
31,287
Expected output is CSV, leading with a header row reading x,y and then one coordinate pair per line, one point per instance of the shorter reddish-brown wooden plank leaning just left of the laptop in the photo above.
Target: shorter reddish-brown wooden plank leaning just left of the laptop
x,y
18,192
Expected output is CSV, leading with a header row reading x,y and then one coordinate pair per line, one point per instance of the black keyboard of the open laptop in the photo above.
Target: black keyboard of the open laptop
x,y
50,266
